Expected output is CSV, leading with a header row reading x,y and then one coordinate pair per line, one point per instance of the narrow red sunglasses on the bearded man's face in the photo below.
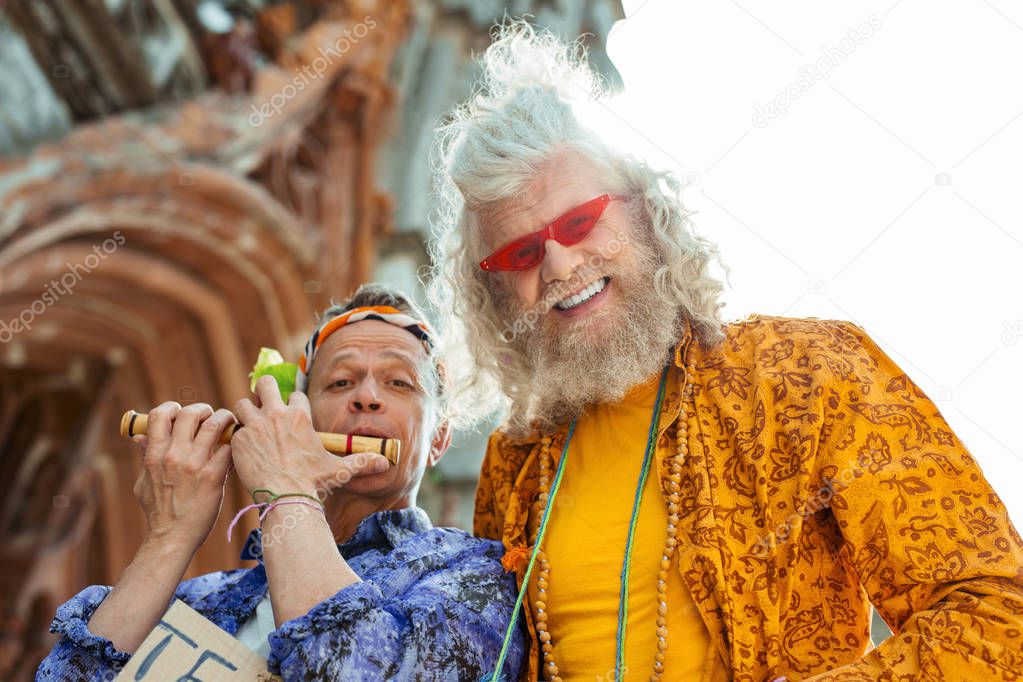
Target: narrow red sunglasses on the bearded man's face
x,y
569,230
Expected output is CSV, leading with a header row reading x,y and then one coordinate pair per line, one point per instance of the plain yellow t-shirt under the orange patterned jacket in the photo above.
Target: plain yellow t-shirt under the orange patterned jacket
x,y
586,547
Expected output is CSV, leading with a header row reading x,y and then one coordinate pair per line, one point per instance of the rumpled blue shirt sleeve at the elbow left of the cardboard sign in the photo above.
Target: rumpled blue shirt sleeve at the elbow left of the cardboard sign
x,y
80,655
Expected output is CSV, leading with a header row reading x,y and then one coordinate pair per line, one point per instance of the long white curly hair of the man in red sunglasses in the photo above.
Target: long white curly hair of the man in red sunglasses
x,y
529,105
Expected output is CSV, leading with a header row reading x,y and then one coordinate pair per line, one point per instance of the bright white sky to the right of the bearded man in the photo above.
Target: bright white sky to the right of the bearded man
x,y
885,194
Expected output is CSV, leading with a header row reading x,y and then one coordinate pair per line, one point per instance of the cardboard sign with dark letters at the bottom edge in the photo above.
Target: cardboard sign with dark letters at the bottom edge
x,y
187,648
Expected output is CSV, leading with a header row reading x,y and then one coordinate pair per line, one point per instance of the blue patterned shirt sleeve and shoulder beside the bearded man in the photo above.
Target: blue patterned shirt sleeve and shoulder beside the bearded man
x,y
437,615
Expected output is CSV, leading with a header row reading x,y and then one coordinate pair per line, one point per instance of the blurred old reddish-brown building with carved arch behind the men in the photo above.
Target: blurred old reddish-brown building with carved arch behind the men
x,y
183,183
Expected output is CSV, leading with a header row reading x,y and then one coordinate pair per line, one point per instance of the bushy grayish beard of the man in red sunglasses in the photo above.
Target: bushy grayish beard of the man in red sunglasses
x,y
600,358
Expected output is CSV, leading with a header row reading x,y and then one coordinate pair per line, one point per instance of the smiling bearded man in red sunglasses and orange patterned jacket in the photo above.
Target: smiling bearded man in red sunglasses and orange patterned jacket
x,y
682,498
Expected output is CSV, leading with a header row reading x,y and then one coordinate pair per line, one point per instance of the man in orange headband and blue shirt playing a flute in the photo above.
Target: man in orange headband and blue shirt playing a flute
x,y
362,587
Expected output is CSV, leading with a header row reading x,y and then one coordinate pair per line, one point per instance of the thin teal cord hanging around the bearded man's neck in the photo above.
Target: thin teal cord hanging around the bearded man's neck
x,y
628,560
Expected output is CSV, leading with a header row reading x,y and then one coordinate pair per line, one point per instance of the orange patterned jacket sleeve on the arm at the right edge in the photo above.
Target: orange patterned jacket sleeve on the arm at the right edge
x,y
928,537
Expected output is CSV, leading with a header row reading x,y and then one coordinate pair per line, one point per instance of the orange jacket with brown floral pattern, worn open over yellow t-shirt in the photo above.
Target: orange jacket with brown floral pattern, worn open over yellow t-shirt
x,y
820,480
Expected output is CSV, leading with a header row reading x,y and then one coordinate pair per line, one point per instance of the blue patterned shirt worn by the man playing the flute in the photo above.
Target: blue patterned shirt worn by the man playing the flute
x,y
433,605
